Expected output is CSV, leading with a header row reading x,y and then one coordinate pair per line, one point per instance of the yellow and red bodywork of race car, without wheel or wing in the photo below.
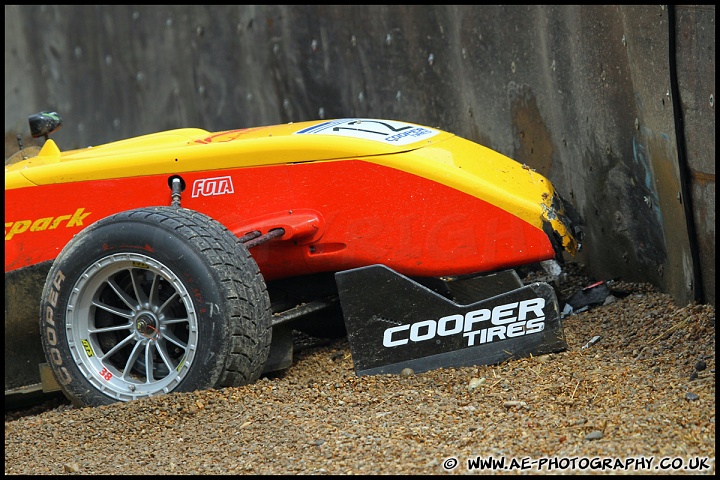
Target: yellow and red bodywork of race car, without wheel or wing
x,y
429,204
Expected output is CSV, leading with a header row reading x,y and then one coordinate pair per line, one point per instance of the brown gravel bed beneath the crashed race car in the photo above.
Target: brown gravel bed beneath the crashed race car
x,y
628,392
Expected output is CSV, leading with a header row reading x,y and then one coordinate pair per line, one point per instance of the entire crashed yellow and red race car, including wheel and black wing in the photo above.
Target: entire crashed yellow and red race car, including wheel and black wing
x,y
185,259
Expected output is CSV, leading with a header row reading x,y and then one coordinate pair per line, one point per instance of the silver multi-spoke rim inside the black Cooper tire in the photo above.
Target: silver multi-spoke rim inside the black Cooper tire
x,y
131,326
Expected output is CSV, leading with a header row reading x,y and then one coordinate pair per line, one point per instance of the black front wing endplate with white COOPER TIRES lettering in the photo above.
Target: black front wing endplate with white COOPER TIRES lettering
x,y
394,322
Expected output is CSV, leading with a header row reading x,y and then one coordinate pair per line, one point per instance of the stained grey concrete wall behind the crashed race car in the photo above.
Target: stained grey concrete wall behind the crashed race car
x,y
615,104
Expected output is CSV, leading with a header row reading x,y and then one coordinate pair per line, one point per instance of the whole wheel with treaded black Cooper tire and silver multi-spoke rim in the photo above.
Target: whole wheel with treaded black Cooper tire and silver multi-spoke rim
x,y
152,301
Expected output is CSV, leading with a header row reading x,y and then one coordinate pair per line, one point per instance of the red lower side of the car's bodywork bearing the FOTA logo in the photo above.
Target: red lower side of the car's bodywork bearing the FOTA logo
x,y
344,214
